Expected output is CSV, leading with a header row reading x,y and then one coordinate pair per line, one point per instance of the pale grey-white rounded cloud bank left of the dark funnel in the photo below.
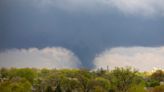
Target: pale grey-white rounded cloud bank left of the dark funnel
x,y
39,58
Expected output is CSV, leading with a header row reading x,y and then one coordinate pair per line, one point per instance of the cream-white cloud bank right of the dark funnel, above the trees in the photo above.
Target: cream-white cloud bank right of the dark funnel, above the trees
x,y
142,58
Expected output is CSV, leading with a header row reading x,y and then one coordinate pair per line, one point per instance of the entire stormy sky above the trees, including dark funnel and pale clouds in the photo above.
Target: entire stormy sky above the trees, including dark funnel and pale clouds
x,y
81,33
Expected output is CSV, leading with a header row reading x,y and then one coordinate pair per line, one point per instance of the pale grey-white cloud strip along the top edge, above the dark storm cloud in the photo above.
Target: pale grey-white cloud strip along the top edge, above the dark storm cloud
x,y
134,7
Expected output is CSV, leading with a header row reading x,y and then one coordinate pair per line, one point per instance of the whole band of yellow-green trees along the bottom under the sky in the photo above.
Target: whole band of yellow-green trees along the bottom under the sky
x,y
80,80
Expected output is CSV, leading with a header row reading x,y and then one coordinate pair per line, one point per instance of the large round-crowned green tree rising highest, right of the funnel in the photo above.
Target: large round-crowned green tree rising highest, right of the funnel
x,y
122,78
